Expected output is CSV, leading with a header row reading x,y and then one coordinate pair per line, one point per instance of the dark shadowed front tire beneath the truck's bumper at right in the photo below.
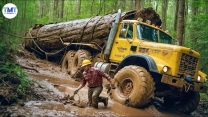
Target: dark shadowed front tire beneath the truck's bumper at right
x,y
188,104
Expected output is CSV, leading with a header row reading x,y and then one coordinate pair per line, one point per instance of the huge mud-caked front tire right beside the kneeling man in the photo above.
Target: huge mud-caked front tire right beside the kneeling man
x,y
134,86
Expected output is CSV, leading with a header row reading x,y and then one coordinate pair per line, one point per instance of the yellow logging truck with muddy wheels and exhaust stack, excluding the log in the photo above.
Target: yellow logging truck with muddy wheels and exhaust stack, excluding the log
x,y
144,62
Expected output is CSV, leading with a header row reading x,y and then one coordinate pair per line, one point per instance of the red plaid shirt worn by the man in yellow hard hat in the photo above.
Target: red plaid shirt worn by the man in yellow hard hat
x,y
93,77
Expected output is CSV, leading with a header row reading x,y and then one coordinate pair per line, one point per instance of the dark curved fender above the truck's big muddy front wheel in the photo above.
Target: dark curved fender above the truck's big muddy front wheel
x,y
142,60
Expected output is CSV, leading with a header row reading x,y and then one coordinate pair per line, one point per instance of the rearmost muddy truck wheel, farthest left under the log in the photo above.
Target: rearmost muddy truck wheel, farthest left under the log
x,y
67,61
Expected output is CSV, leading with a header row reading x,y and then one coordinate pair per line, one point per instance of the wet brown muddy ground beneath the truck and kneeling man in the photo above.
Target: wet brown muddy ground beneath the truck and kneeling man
x,y
53,89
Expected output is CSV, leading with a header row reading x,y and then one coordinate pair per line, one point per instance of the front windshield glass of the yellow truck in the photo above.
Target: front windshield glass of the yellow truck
x,y
151,34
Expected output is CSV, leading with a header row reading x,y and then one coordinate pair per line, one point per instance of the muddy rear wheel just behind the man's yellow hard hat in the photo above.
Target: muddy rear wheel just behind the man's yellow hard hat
x,y
80,55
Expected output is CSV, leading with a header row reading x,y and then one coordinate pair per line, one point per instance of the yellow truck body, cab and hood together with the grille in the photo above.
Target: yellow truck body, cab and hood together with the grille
x,y
135,37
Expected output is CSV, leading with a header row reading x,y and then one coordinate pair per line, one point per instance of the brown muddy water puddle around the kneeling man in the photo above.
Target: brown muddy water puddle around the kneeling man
x,y
67,85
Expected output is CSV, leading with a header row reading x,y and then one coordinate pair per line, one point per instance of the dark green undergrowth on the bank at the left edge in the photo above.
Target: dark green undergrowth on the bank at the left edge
x,y
13,80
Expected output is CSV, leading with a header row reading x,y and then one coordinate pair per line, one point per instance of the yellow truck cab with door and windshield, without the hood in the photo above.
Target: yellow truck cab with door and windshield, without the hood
x,y
131,36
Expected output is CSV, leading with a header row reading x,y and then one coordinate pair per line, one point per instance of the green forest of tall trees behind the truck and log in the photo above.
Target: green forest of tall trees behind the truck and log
x,y
185,20
